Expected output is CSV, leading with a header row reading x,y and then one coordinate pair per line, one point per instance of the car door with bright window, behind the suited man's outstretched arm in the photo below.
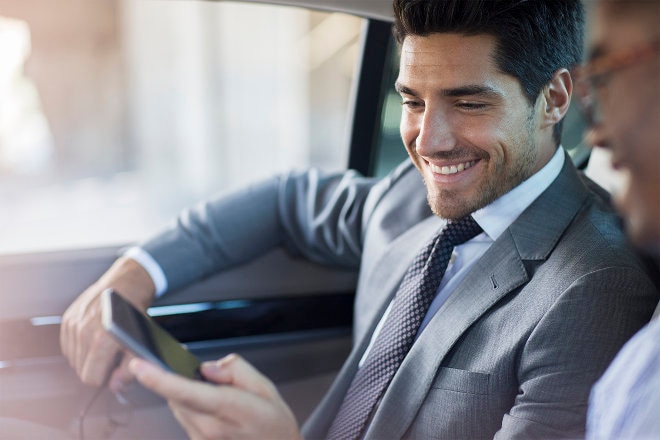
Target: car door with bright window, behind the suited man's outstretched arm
x,y
128,112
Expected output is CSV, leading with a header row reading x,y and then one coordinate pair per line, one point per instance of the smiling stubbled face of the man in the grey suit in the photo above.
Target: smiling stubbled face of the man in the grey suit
x,y
467,127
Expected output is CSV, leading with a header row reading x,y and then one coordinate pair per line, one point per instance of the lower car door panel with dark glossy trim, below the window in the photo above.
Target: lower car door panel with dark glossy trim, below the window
x,y
36,383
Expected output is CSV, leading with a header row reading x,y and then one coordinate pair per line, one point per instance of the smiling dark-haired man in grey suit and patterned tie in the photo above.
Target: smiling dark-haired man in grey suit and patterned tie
x,y
507,340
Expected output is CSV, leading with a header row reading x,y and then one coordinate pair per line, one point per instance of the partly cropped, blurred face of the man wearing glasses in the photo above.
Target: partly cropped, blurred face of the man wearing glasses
x,y
630,114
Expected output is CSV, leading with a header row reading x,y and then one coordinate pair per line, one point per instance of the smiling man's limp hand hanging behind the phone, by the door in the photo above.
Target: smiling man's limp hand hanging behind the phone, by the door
x,y
90,350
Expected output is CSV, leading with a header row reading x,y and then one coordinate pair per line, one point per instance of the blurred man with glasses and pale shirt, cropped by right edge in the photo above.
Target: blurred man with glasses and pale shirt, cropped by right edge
x,y
621,92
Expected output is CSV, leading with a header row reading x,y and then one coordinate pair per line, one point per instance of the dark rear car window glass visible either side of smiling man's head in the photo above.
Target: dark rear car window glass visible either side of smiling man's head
x,y
389,150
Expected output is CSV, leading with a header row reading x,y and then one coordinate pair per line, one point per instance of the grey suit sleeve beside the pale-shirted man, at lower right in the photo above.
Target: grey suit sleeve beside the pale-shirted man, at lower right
x,y
571,347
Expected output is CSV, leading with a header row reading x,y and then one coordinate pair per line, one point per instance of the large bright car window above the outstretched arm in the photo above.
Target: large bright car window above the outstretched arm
x,y
115,114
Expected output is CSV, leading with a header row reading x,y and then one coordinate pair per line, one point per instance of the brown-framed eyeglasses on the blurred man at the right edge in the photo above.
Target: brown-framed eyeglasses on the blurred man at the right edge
x,y
596,74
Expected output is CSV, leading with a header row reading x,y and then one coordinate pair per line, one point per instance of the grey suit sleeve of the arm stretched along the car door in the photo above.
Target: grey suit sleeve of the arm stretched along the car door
x,y
312,215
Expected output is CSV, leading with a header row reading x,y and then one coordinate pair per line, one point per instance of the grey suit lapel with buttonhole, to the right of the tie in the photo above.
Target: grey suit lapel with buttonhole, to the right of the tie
x,y
500,270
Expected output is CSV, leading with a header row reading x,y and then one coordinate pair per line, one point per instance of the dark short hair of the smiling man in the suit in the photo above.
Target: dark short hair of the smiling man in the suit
x,y
535,38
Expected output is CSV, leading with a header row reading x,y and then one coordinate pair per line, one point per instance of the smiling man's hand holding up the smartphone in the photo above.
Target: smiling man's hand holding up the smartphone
x,y
243,404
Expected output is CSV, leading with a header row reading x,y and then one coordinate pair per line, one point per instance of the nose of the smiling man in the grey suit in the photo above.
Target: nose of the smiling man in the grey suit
x,y
435,133
